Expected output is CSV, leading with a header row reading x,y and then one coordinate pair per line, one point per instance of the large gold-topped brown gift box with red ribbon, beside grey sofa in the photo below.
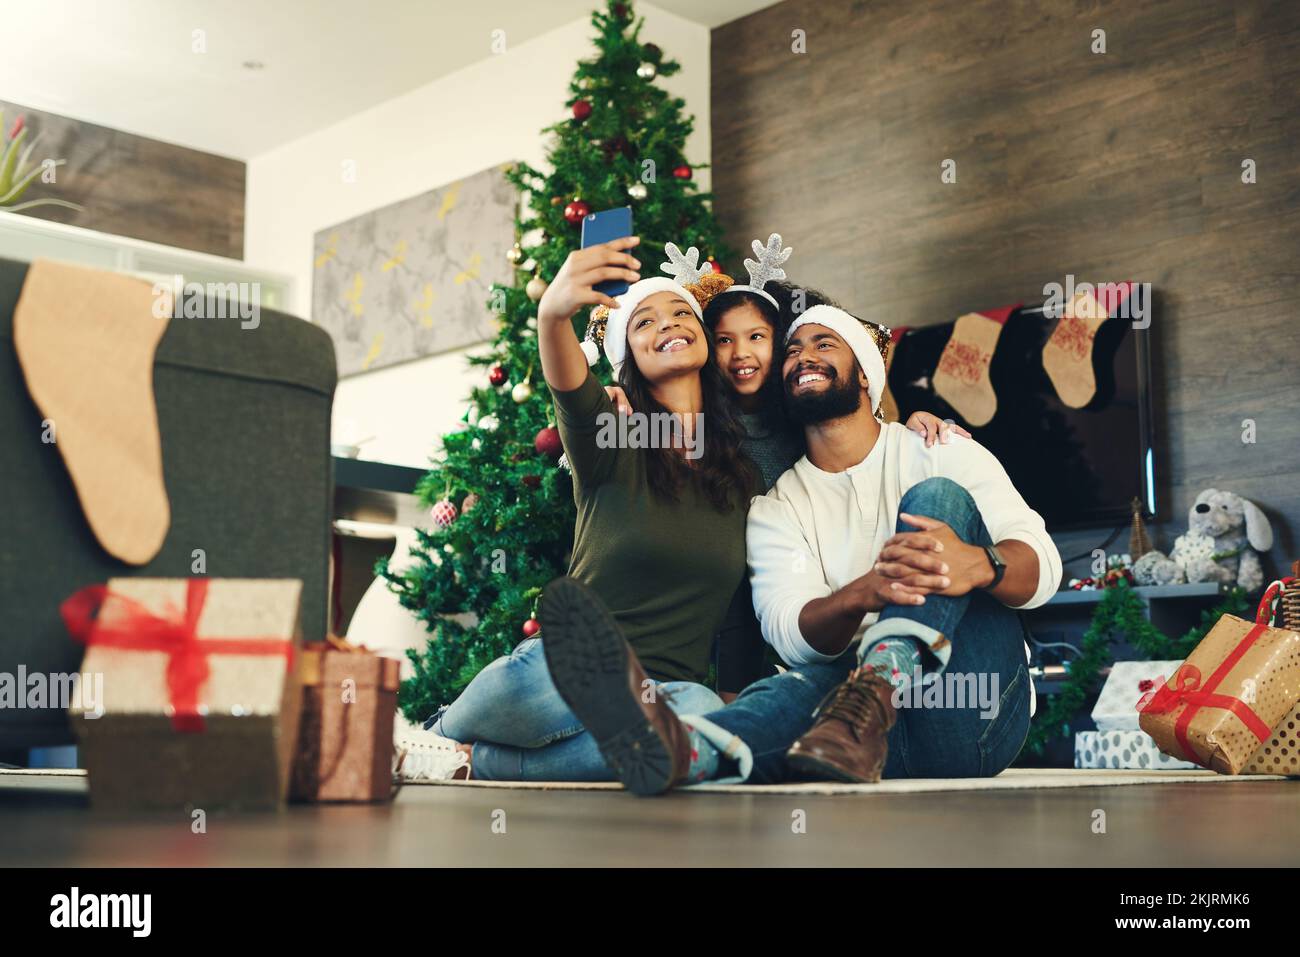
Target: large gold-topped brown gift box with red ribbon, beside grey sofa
x,y
236,755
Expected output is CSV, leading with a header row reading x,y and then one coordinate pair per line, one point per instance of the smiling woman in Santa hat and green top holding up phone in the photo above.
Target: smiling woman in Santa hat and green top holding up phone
x,y
678,510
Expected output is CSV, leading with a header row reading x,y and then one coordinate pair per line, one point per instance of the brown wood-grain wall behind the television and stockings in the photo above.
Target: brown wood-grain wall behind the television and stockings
x,y
1110,167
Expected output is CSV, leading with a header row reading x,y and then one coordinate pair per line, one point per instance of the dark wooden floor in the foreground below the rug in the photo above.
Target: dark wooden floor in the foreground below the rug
x,y
49,822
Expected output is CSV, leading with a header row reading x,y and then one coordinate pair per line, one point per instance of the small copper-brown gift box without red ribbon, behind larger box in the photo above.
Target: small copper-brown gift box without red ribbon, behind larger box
x,y
350,700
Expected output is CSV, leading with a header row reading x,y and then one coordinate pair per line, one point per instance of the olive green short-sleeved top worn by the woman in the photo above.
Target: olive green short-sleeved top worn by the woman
x,y
666,571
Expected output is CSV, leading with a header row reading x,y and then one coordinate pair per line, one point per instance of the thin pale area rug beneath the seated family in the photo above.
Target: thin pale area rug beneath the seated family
x,y
1012,780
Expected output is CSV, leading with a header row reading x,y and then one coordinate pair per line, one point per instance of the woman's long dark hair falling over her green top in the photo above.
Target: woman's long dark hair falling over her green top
x,y
725,474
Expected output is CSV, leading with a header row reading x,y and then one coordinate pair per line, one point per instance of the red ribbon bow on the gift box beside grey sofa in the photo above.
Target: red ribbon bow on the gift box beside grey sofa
x,y
137,629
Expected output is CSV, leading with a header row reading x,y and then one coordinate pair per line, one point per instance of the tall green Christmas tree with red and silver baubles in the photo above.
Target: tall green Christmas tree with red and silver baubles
x,y
501,499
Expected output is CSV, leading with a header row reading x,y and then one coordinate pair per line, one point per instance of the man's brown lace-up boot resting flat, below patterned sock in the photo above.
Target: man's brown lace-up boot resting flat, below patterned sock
x,y
850,738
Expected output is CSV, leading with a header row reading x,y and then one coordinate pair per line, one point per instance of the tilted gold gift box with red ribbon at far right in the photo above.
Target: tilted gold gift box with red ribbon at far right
x,y
1227,699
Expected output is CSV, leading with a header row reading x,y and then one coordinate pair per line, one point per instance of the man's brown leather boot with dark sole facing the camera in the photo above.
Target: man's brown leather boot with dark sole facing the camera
x,y
600,678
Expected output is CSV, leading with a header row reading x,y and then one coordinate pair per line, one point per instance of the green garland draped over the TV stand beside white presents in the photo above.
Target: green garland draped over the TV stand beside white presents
x,y
1121,612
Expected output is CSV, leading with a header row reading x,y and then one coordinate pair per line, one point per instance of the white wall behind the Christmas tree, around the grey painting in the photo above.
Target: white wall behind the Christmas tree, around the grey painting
x,y
487,114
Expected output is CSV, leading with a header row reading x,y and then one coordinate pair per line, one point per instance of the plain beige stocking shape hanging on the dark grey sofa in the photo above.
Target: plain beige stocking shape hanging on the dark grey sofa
x,y
85,341
